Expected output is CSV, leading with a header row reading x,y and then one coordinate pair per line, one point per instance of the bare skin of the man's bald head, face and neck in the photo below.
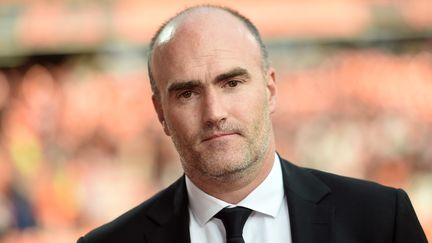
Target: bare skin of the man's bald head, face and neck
x,y
215,102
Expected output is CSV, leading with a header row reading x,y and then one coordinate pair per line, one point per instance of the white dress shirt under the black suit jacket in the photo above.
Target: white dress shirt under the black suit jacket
x,y
269,221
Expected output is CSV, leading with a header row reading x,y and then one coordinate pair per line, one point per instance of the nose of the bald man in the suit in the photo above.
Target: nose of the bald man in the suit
x,y
214,110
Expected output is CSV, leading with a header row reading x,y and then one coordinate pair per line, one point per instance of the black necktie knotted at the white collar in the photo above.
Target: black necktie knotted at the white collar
x,y
234,220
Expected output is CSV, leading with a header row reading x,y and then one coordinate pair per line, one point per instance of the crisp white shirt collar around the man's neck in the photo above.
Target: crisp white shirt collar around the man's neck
x,y
267,198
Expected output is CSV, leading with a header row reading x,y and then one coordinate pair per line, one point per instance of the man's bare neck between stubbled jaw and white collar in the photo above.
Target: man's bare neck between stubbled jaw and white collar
x,y
235,189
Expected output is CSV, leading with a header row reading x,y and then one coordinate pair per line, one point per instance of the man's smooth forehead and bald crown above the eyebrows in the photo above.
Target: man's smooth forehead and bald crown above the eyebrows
x,y
202,45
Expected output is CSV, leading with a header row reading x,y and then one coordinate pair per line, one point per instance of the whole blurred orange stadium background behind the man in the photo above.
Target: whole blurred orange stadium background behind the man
x,y
80,143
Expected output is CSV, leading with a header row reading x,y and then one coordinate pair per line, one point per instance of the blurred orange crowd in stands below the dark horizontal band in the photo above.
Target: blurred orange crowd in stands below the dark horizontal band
x,y
80,143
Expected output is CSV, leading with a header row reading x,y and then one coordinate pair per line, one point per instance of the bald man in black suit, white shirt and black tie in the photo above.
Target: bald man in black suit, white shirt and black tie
x,y
214,92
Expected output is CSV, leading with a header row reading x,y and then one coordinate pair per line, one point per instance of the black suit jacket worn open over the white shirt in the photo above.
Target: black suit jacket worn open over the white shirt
x,y
323,208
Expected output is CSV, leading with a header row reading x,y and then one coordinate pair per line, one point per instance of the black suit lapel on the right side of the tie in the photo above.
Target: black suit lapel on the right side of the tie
x,y
310,210
